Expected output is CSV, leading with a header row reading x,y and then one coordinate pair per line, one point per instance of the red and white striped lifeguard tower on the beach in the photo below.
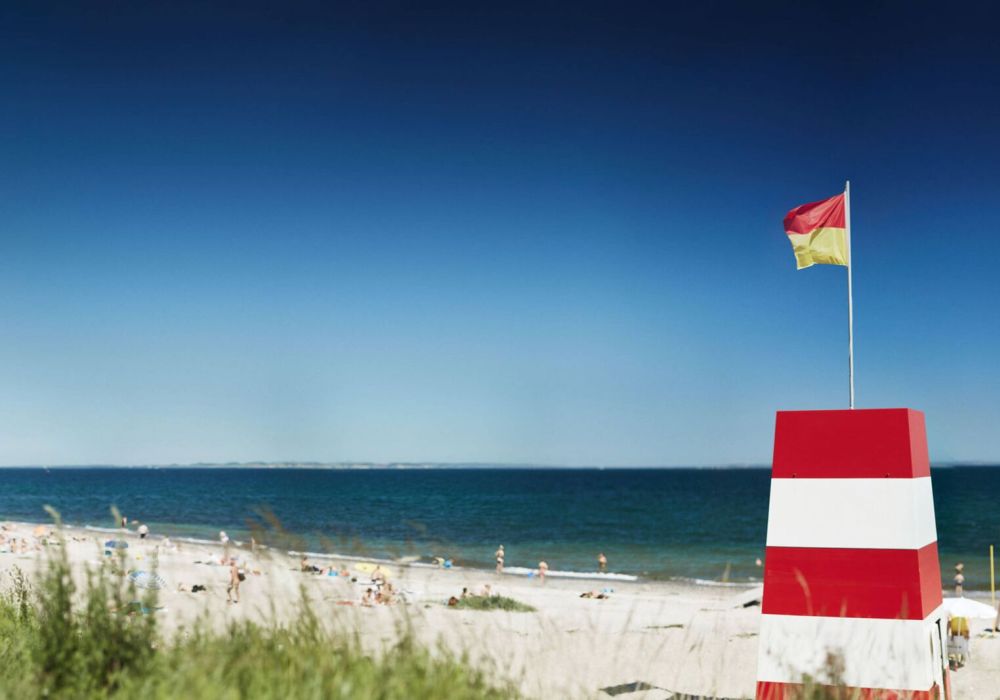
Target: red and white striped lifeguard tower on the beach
x,y
852,582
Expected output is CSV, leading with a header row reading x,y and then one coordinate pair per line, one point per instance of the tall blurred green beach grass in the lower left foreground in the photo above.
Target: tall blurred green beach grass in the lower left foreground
x,y
103,642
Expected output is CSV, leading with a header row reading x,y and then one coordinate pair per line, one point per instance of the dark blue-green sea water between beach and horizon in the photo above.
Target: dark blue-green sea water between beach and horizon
x,y
696,524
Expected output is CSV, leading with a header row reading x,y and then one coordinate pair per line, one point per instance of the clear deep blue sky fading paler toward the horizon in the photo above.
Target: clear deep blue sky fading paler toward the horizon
x,y
539,233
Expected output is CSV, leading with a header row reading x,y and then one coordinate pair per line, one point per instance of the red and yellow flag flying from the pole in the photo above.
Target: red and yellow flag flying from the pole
x,y
818,233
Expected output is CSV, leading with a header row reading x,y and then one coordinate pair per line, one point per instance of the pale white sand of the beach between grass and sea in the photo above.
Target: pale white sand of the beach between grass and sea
x,y
685,638
